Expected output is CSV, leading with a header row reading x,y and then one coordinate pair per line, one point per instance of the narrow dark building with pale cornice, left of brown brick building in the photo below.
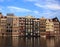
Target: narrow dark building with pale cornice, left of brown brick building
x,y
36,26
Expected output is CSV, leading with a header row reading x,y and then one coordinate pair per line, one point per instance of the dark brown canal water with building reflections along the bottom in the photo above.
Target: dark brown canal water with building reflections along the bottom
x,y
29,42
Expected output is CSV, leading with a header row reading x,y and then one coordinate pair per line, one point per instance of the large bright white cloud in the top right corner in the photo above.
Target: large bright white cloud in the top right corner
x,y
47,4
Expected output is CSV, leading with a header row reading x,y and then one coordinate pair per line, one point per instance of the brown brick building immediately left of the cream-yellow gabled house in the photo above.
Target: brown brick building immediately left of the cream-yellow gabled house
x,y
42,26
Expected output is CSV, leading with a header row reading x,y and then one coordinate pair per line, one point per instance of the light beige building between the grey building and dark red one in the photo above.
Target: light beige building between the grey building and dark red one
x,y
15,28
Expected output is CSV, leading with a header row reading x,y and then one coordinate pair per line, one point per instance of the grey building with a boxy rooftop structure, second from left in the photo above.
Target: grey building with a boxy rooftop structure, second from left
x,y
9,24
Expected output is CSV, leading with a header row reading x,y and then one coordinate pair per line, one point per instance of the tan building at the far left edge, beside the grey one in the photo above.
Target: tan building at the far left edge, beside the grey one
x,y
3,23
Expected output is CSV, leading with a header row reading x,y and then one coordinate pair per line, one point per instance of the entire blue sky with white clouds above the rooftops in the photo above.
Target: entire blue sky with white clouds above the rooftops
x,y
36,8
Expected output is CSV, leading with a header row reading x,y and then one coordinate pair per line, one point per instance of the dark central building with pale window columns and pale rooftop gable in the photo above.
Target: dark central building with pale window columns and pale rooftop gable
x,y
29,25
